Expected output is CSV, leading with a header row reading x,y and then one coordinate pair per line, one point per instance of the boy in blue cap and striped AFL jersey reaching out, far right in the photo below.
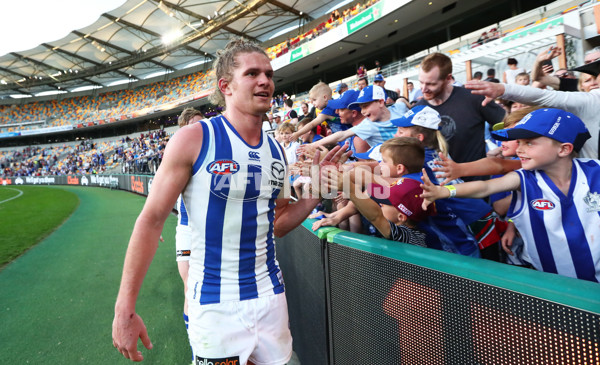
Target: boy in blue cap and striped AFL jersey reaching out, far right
x,y
557,201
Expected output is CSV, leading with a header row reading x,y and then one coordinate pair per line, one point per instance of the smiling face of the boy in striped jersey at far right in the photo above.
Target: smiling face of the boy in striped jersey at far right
x,y
537,153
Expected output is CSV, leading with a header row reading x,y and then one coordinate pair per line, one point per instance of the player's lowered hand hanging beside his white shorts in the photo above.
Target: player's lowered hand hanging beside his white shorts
x,y
126,331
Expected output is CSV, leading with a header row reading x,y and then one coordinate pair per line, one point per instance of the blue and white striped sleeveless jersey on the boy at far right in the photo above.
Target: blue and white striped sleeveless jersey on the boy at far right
x,y
561,232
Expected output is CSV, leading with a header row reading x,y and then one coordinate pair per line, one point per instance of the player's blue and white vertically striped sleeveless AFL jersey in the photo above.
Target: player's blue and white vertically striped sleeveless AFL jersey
x,y
230,201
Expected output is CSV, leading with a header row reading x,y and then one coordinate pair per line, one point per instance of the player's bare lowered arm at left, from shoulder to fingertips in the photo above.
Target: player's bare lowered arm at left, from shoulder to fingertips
x,y
171,178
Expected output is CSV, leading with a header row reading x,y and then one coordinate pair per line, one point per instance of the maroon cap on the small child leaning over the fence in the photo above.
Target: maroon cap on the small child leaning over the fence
x,y
404,195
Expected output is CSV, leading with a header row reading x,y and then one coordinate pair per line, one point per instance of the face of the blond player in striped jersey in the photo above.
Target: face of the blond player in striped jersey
x,y
251,87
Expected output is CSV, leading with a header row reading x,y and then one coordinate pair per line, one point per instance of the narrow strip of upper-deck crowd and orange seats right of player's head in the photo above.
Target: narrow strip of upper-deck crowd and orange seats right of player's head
x,y
335,18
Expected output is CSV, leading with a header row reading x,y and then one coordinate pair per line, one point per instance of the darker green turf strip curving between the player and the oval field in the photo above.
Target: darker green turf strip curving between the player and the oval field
x,y
57,300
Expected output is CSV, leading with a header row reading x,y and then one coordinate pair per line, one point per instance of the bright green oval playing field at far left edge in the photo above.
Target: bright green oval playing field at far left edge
x,y
28,215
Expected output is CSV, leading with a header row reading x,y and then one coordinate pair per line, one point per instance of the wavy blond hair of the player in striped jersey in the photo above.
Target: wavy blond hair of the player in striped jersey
x,y
226,62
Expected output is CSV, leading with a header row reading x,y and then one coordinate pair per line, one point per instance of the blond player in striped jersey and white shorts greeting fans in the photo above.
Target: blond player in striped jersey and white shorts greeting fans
x,y
232,176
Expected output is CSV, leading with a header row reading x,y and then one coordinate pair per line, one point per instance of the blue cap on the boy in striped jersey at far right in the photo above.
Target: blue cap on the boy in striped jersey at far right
x,y
557,124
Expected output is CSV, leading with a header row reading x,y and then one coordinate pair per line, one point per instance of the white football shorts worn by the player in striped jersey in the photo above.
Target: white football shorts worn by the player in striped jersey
x,y
232,333
